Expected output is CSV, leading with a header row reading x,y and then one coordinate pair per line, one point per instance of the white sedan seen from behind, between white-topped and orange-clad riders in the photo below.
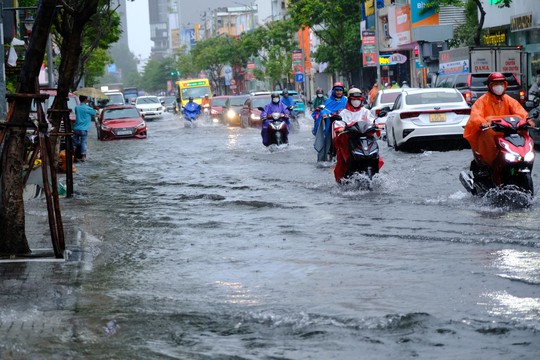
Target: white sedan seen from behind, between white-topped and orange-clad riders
x,y
427,117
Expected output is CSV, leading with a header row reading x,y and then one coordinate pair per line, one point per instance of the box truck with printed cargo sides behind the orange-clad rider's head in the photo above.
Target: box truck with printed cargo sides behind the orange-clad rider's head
x,y
467,69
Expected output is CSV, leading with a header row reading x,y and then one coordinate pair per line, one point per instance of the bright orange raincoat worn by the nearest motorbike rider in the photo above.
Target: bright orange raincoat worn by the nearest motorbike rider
x,y
483,143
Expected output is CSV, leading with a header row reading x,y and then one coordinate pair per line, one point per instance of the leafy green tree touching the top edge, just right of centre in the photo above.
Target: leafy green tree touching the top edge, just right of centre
x,y
337,26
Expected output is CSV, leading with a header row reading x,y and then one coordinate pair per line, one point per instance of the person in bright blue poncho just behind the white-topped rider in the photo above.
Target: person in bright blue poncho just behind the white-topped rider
x,y
323,134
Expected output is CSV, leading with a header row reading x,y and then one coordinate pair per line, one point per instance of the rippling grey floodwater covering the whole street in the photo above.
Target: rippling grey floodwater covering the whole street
x,y
202,244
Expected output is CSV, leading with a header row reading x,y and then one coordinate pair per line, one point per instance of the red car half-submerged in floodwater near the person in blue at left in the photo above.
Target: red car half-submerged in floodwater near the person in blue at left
x,y
120,122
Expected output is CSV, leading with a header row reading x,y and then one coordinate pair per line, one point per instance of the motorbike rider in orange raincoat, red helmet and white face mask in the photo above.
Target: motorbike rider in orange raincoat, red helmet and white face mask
x,y
493,103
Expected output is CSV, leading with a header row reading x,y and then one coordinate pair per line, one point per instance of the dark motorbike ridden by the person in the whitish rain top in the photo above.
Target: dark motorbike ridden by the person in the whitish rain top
x,y
361,151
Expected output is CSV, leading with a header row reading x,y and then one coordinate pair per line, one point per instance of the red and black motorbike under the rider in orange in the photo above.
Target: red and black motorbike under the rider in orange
x,y
513,164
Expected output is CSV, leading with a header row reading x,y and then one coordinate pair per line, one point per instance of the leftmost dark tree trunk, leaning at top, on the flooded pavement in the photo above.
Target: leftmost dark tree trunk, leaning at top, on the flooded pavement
x,y
12,215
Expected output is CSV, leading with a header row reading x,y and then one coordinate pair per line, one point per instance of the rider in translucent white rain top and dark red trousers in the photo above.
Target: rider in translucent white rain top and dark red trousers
x,y
353,112
